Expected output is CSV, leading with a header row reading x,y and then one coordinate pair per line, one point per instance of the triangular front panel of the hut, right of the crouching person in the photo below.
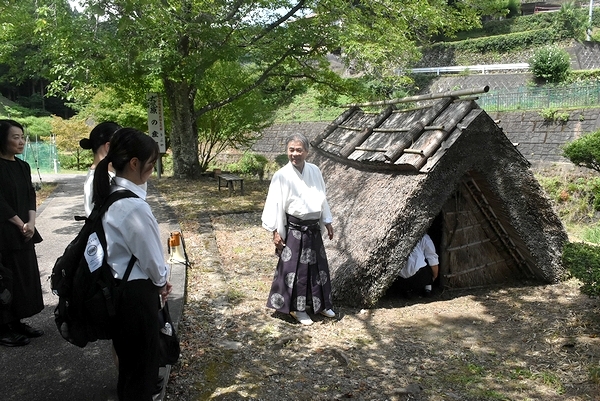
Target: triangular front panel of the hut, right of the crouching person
x,y
477,248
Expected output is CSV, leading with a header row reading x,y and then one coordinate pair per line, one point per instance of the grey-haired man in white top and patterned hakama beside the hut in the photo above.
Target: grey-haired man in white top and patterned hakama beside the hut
x,y
296,212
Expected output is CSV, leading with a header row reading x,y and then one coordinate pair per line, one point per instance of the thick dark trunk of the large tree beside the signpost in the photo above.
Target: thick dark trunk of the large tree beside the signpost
x,y
184,135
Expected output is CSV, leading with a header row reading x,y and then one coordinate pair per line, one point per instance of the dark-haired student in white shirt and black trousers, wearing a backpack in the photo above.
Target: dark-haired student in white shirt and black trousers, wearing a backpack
x,y
131,229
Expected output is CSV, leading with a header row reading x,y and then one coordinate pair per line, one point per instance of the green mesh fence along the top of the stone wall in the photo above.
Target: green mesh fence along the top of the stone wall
x,y
539,98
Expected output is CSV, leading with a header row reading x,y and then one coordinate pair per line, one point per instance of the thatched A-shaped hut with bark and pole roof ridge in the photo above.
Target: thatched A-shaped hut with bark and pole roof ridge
x,y
444,167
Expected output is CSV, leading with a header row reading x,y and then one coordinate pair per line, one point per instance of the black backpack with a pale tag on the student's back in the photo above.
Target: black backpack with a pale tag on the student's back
x,y
87,293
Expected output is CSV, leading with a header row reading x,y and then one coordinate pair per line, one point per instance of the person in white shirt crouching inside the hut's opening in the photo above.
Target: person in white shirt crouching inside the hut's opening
x,y
421,270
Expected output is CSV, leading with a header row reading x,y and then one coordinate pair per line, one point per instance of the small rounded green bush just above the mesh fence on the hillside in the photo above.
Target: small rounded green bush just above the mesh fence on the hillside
x,y
551,64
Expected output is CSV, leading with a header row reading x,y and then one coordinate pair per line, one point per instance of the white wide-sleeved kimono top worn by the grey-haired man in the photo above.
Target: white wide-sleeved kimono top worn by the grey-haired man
x,y
301,195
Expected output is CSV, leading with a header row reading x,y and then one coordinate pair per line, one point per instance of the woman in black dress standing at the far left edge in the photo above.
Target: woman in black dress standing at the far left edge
x,y
17,238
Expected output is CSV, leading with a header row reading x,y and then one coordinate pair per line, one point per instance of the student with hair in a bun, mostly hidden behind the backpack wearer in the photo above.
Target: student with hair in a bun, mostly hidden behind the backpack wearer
x,y
98,142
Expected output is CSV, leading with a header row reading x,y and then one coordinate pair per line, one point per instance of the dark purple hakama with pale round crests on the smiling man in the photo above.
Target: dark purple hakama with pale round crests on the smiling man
x,y
302,275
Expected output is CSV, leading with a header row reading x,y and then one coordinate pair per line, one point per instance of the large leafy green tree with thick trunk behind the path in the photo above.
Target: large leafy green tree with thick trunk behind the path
x,y
208,55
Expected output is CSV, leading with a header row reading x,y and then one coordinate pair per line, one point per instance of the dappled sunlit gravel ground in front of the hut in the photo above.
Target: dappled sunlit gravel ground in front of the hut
x,y
515,342
